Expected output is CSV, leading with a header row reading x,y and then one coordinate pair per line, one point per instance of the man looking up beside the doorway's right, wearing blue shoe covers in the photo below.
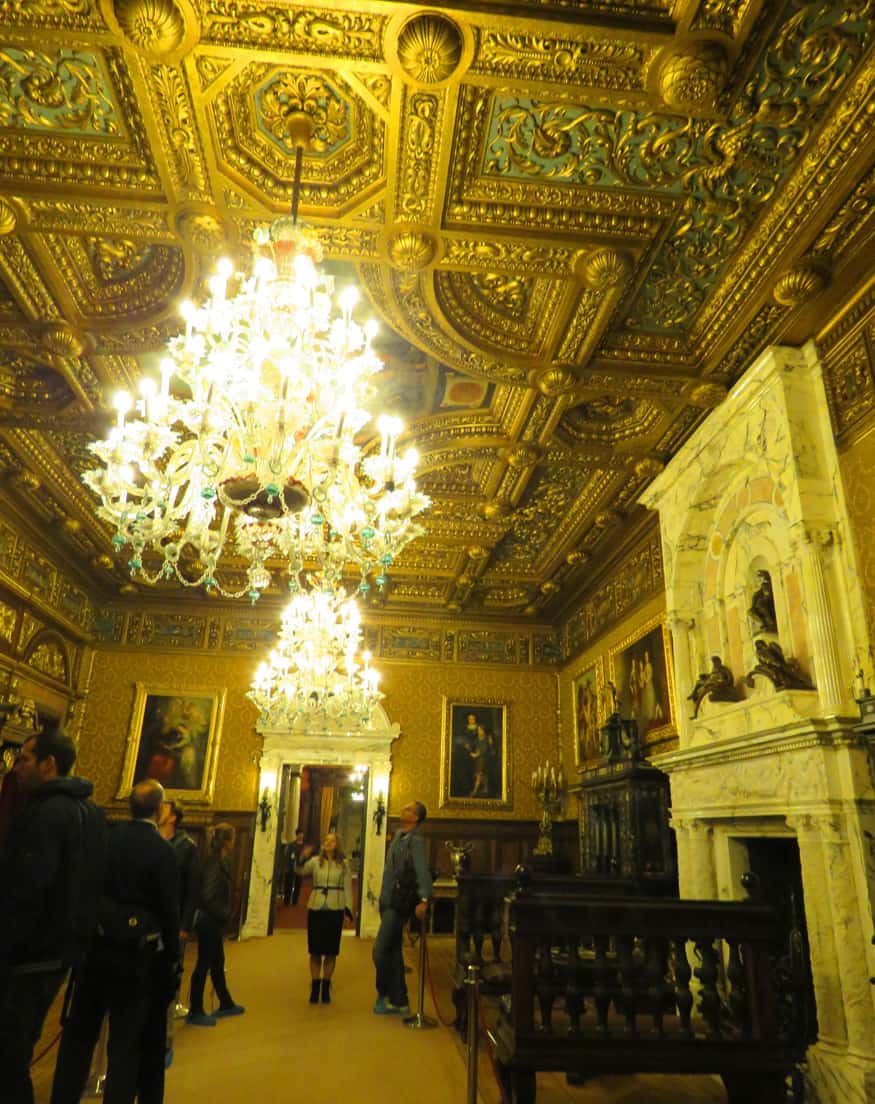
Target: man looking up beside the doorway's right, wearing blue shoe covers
x,y
406,866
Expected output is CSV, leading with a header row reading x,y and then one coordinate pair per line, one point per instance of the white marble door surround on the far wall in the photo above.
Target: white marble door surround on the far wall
x,y
371,748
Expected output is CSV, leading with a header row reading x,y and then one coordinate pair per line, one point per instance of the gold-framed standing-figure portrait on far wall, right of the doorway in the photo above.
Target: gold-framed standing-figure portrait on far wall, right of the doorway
x,y
475,756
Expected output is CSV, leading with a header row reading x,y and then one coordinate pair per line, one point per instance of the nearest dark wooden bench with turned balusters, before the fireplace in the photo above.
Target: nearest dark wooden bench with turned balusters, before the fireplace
x,y
606,986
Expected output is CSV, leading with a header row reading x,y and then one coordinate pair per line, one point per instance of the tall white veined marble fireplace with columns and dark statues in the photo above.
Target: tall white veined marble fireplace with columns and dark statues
x,y
757,494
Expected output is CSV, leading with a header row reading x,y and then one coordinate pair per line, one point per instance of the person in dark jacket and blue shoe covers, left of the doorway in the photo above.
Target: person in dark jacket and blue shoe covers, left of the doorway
x,y
214,912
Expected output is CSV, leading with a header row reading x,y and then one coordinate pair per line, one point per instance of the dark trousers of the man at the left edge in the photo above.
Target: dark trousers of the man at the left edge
x,y
25,1002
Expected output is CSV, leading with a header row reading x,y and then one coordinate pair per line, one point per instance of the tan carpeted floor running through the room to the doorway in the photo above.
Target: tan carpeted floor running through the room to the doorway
x,y
286,1050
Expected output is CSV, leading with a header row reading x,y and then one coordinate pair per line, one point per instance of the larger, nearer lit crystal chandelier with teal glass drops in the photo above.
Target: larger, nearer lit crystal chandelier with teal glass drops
x,y
257,454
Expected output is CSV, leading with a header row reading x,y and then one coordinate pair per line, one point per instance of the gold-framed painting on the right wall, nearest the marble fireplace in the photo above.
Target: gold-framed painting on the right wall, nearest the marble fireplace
x,y
642,672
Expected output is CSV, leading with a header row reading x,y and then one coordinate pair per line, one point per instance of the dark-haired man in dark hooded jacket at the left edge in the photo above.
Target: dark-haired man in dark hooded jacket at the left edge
x,y
50,877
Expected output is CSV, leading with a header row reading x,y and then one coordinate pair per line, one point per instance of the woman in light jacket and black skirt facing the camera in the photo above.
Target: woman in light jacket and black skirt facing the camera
x,y
330,899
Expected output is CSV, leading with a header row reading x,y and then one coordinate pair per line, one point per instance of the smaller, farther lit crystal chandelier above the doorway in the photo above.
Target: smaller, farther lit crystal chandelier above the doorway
x,y
313,676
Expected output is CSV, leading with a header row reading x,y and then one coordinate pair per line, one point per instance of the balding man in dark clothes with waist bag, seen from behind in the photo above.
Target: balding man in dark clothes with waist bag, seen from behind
x,y
131,972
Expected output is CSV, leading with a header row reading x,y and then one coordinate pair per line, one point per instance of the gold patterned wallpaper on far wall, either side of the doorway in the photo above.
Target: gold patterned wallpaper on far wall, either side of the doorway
x,y
414,698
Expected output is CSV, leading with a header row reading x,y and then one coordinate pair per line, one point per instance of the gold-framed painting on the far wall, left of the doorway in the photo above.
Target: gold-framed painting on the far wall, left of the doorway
x,y
174,738
